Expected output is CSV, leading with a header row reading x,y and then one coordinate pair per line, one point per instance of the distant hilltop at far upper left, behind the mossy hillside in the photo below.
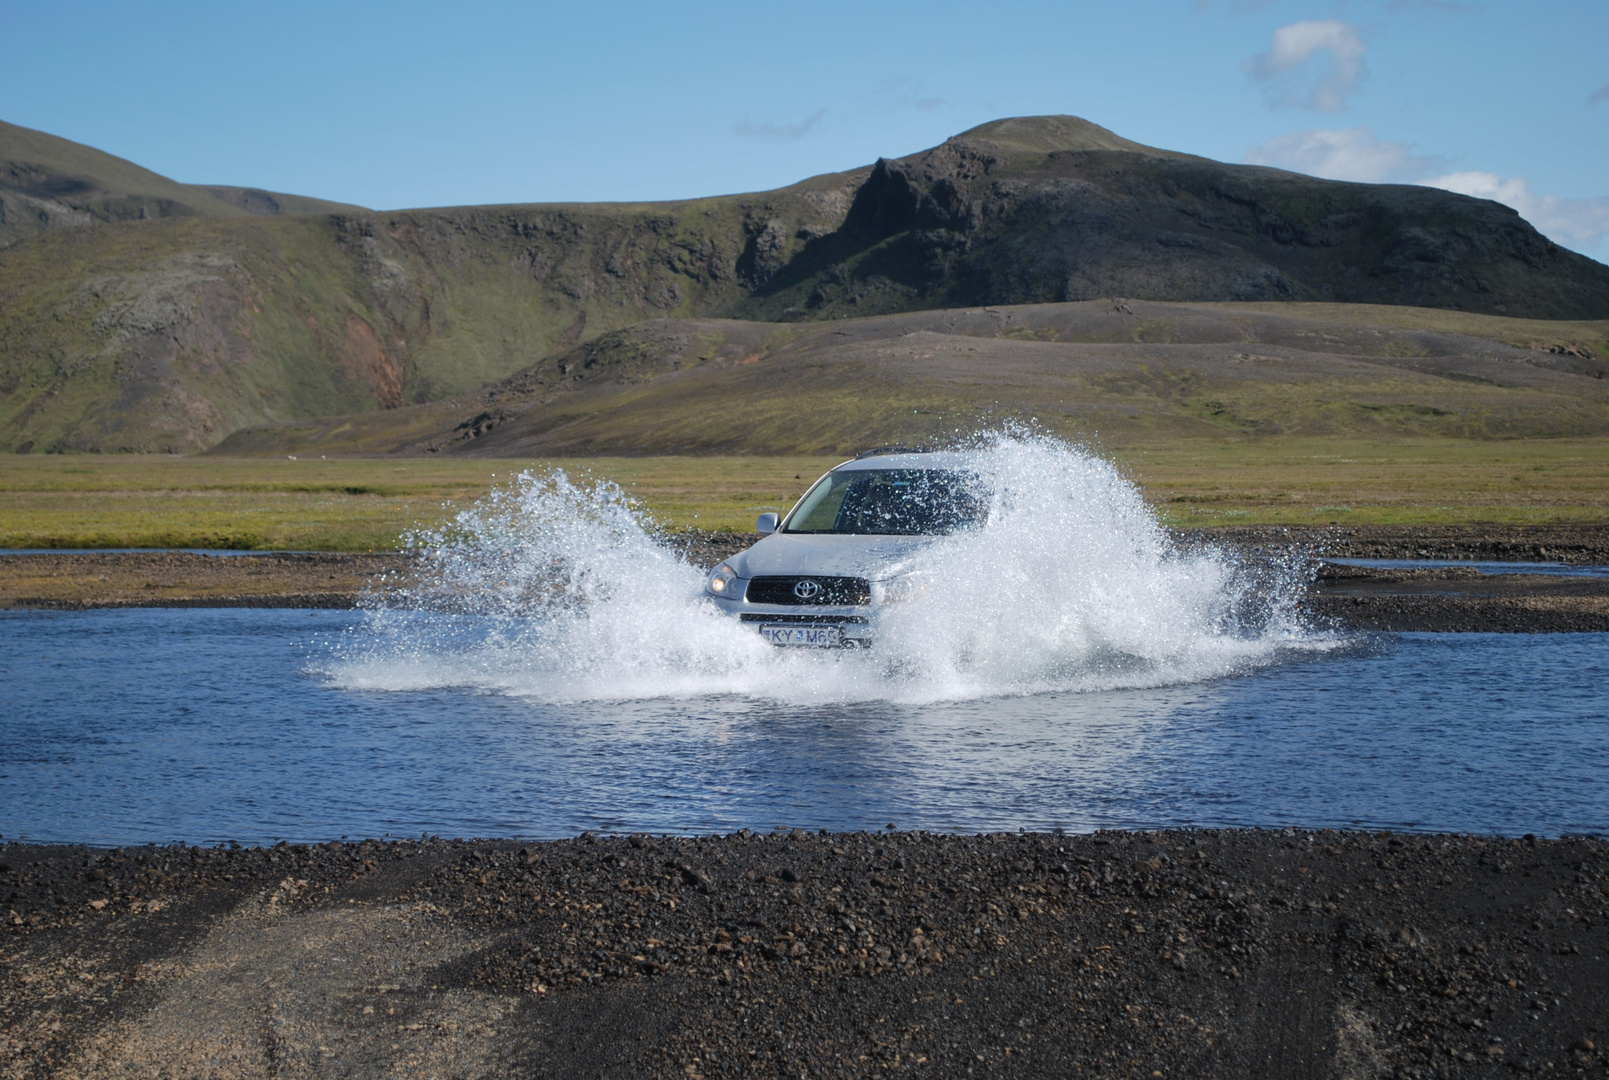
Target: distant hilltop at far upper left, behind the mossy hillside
x,y
49,184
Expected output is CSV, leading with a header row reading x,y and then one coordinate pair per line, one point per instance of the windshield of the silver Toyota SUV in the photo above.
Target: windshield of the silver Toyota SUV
x,y
889,501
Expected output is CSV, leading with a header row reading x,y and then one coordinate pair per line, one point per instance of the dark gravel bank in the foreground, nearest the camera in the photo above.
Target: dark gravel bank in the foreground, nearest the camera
x,y
1177,954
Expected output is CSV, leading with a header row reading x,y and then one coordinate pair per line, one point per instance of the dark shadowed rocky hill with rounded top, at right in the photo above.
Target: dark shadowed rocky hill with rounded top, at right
x,y
982,223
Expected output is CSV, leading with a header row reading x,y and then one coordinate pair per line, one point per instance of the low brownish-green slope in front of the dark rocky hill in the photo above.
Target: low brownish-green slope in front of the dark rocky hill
x,y
1125,373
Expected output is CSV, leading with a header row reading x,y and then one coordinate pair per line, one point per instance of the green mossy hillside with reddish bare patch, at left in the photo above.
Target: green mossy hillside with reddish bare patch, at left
x,y
165,337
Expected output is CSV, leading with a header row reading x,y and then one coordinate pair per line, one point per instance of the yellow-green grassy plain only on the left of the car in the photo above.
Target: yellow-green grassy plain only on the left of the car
x,y
345,505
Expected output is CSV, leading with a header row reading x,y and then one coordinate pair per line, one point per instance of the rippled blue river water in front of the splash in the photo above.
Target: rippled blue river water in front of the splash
x,y
229,725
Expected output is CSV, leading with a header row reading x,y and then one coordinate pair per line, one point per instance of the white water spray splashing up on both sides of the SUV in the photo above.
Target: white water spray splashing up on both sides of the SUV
x,y
562,592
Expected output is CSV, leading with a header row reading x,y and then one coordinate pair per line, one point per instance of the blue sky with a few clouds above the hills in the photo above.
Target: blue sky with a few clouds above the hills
x,y
397,105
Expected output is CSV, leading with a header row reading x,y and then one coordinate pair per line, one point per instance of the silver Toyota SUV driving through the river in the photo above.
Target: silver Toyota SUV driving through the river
x,y
821,575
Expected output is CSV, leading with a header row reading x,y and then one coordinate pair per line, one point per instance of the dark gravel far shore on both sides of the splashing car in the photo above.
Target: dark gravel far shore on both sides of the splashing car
x,y
1370,600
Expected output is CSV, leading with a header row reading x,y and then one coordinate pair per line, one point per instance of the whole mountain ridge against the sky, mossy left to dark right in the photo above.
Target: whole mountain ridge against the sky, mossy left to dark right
x,y
167,316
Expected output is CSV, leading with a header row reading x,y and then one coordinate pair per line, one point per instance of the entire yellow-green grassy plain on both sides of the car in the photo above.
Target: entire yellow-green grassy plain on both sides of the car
x,y
364,505
